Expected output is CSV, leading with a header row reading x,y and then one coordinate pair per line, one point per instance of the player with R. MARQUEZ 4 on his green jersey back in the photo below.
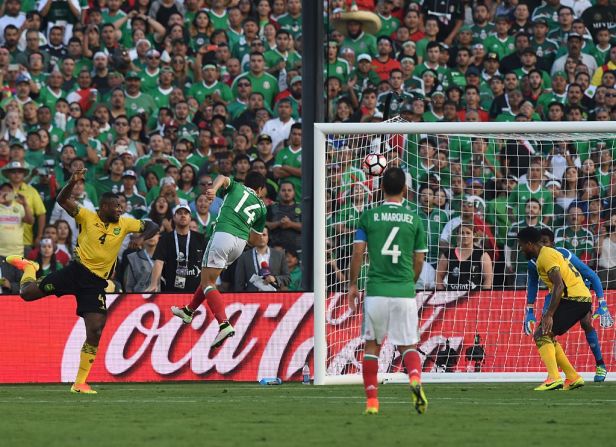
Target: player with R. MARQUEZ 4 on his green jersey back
x,y
396,243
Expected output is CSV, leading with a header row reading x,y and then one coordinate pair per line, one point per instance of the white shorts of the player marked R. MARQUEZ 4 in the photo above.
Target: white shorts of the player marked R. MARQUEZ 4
x,y
394,318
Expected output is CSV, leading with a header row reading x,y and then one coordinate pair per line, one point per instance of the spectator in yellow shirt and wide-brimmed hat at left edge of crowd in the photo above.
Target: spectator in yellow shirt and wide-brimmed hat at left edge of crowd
x,y
16,172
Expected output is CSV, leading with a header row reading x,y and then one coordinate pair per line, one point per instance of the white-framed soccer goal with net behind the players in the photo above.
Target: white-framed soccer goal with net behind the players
x,y
467,181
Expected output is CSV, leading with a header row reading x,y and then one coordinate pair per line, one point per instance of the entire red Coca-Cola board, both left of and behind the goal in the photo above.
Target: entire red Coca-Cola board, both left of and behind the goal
x,y
40,341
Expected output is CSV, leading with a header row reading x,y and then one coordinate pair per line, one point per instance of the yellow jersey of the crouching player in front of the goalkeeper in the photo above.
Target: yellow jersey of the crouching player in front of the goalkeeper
x,y
550,259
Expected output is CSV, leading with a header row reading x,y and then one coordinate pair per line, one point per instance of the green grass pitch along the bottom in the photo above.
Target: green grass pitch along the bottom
x,y
234,414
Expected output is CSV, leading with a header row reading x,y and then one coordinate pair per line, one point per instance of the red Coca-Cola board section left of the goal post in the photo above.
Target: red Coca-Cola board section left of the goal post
x,y
40,341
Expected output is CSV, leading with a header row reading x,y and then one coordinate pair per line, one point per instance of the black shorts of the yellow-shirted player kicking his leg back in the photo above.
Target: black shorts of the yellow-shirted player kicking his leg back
x,y
75,279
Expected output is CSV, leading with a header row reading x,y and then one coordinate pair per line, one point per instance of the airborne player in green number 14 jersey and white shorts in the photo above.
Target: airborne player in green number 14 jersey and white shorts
x,y
241,220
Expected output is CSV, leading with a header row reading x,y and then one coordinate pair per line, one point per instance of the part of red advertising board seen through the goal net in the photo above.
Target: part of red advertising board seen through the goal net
x,y
454,327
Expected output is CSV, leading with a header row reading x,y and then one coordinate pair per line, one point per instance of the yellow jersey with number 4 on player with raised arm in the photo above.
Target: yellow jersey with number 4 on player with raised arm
x,y
98,243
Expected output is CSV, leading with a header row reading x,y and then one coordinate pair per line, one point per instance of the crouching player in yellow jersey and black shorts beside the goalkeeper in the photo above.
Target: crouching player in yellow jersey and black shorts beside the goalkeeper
x,y
571,302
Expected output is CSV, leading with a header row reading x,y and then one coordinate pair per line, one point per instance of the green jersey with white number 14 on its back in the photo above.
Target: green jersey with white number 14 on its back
x,y
242,211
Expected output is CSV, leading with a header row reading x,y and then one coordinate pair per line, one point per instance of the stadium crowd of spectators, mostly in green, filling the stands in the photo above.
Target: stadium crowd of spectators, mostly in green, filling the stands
x,y
157,97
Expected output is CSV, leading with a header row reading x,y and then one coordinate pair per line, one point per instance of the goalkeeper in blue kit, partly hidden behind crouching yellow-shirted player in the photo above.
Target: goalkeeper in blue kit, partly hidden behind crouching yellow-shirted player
x,y
592,281
